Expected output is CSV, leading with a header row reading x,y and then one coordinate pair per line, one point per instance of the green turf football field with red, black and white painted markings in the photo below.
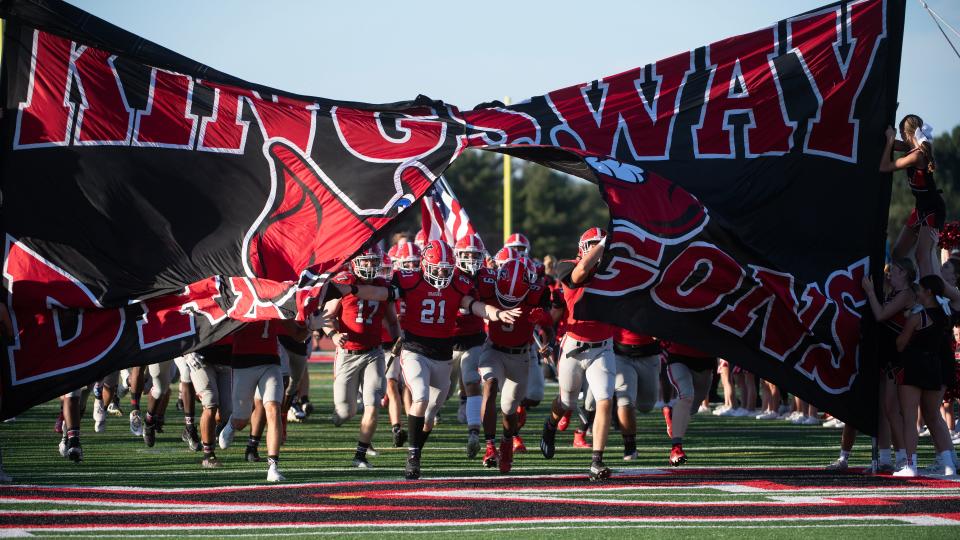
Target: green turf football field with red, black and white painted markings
x,y
744,477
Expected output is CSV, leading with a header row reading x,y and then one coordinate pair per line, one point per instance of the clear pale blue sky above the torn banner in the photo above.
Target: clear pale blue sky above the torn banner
x,y
469,52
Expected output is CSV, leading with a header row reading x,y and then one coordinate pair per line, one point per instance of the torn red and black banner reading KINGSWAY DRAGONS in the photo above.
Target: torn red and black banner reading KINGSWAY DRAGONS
x,y
152,204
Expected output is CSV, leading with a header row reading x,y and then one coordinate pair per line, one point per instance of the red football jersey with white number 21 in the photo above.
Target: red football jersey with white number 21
x,y
431,312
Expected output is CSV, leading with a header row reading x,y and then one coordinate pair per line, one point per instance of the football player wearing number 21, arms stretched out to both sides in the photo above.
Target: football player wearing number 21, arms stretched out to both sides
x,y
432,299
